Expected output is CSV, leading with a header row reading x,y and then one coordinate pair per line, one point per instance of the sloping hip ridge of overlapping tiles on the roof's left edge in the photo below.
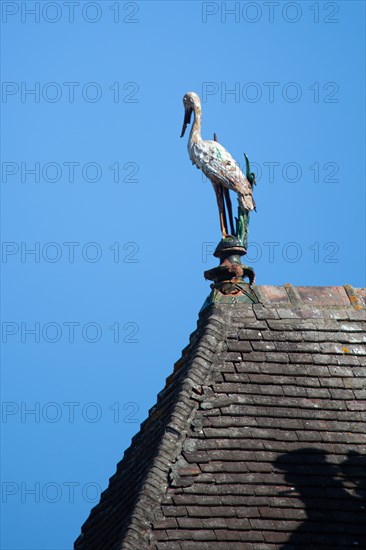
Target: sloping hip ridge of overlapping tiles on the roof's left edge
x,y
184,408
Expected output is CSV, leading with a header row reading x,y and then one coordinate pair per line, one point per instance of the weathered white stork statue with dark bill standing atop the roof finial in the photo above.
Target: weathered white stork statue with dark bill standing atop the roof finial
x,y
216,163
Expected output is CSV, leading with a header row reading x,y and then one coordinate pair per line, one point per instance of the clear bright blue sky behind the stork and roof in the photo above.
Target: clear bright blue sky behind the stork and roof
x,y
98,184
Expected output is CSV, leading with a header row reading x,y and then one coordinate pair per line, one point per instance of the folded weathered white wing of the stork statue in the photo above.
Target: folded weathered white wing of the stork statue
x,y
218,164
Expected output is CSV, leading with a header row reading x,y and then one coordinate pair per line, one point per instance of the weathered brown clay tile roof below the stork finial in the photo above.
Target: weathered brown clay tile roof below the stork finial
x,y
258,440
